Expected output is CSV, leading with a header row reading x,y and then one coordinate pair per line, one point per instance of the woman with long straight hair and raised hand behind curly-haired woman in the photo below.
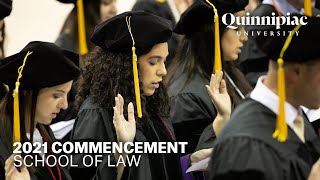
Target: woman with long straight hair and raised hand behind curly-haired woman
x,y
192,111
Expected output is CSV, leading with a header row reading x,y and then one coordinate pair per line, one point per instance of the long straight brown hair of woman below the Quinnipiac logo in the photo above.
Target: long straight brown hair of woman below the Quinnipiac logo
x,y
195,55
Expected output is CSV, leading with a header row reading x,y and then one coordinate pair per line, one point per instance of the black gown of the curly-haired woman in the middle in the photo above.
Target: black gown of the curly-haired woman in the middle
x,y
95,124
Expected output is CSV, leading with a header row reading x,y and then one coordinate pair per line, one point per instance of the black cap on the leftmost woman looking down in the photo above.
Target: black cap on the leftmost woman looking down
x,y
48,65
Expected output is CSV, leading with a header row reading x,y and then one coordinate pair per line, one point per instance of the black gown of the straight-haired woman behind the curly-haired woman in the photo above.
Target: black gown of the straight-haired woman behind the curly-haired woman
x,y
191,110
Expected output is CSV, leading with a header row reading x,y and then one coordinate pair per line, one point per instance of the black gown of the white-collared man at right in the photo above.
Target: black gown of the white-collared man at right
x,y
245,148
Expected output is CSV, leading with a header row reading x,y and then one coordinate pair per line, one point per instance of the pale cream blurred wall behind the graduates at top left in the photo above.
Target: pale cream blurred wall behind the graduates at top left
x,y
32,20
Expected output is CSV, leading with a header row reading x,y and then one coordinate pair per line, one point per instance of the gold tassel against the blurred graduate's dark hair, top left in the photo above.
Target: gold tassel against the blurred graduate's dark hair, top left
x,y
83,49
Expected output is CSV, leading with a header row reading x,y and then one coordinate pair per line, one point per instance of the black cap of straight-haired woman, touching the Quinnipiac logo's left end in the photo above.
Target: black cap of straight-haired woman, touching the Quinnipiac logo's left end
x,y
200,13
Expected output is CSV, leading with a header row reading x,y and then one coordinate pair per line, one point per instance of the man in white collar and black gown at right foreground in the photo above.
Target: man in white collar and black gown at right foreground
x,y
256,144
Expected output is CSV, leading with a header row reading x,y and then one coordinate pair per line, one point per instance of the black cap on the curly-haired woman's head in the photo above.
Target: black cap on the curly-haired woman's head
x,y
147,30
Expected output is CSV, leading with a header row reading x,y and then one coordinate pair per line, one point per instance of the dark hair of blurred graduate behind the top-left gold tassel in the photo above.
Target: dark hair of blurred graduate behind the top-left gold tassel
x,y
92,18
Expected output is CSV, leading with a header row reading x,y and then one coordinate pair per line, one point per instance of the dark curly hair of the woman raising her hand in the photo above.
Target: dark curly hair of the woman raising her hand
x,y
109,74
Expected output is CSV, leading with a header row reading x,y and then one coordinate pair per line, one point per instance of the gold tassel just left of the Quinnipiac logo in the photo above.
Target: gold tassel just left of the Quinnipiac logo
x,y
217,53
